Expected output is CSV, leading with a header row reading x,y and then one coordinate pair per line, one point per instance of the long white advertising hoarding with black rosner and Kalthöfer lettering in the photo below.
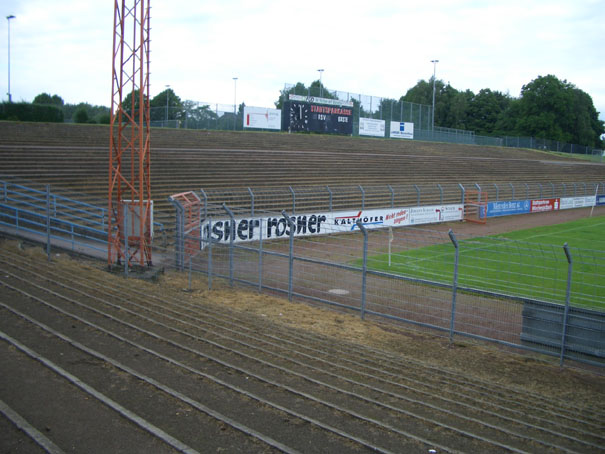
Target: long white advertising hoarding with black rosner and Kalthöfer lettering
x,y
274,227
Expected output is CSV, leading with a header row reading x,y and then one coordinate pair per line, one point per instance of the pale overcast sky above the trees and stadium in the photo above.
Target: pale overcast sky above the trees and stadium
x,y
379,47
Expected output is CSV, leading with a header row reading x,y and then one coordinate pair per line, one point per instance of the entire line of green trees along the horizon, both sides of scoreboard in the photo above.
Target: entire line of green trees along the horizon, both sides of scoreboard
x,y
547,108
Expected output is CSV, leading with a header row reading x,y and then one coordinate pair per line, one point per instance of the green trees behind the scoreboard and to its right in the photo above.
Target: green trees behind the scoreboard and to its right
x,y
547,108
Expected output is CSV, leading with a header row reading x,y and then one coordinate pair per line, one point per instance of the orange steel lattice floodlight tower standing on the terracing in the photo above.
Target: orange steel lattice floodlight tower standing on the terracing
x,y
130,206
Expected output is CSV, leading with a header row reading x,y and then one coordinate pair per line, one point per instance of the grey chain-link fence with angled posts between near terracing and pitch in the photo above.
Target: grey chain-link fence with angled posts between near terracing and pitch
x,y
538,297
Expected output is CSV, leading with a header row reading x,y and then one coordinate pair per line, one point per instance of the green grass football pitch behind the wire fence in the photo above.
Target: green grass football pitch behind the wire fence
x,y
527,263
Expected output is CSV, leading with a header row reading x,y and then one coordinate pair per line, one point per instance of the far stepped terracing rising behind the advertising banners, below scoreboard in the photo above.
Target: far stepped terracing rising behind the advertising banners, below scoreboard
x,y
75,158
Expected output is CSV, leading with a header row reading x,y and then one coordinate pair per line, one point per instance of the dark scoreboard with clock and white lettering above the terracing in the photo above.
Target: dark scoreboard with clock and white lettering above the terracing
x,y
310,116
